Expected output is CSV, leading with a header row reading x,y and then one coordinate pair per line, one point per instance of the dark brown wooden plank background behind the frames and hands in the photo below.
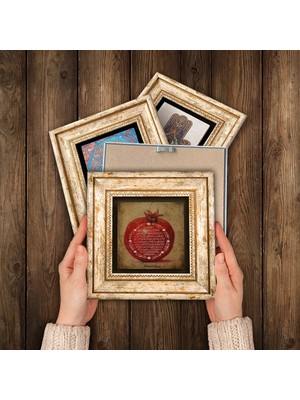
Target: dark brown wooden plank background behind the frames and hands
x,y
41,90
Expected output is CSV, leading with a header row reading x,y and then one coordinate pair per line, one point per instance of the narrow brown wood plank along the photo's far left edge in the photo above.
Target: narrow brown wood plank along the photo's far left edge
x,y
12,198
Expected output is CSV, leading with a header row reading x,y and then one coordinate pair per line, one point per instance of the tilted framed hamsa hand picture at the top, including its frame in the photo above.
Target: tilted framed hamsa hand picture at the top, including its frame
x,y
192,118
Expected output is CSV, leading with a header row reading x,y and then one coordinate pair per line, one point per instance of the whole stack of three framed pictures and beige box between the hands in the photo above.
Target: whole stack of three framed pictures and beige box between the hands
x,y
151,175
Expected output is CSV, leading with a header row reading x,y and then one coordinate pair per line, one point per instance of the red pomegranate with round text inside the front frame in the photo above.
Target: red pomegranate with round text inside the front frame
x,y
149,238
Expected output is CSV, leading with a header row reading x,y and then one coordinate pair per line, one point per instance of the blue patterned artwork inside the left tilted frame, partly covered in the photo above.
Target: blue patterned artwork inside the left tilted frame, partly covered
x,y
93,152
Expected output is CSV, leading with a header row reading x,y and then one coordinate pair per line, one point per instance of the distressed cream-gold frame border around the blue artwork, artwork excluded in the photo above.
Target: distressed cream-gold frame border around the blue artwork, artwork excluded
x,y
64,140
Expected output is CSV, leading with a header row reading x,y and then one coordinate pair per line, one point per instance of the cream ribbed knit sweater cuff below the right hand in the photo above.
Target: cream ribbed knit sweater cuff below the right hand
x,y
235,334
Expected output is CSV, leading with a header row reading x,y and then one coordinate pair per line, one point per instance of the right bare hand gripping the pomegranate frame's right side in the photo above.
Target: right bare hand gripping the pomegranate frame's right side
x,y
228,300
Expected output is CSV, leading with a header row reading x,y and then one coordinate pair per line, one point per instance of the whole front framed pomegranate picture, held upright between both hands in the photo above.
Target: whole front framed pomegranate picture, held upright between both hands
x,y
151,235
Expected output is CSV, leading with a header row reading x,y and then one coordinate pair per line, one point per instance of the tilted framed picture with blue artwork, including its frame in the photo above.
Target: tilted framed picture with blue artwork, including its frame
x,y
78,147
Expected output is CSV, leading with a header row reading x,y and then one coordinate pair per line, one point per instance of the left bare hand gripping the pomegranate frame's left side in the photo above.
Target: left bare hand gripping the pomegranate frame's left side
x,y
75,308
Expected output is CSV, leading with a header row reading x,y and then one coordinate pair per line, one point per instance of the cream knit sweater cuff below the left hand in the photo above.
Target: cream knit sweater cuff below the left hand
x,y
62,337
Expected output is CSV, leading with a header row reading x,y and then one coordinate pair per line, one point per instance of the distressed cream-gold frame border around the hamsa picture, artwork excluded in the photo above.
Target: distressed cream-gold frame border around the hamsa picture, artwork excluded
x,y
228,120
